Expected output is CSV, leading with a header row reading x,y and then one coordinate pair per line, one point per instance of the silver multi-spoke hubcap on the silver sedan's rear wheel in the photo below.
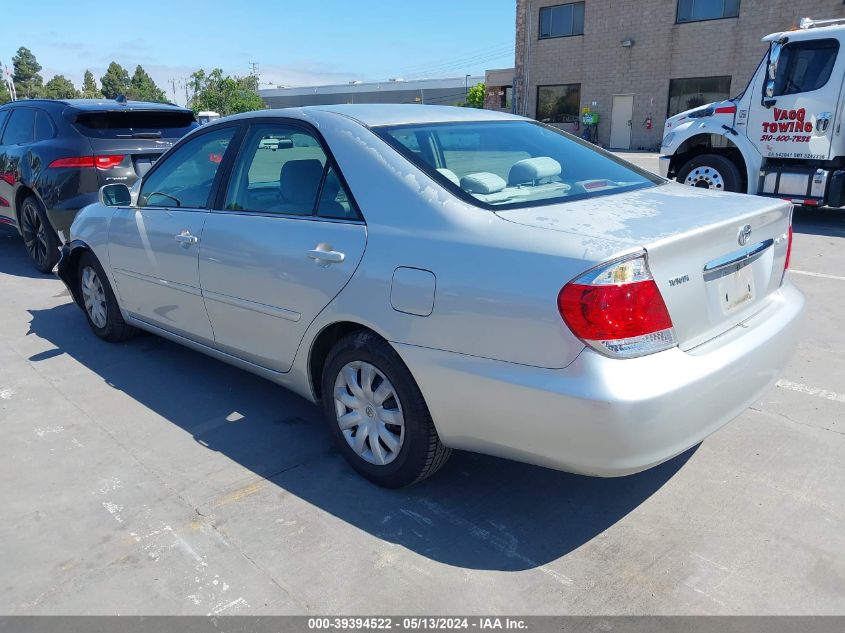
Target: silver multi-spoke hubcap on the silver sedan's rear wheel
x,y
369,413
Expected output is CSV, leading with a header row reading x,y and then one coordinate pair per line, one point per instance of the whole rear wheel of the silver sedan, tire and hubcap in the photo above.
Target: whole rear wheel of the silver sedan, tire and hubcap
x,y
377,415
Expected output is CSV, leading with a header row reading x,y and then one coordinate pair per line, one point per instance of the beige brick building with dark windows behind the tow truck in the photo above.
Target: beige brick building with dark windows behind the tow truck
x,y
636,61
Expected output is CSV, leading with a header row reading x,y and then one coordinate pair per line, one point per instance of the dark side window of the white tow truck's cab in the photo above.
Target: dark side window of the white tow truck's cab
x,y
805,66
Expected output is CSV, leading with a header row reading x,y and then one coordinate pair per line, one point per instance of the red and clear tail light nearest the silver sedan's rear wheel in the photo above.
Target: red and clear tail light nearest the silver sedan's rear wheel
x,y
618,310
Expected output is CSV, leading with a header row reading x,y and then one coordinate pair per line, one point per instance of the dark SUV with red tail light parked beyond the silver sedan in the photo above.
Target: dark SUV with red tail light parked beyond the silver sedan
x,y
55,155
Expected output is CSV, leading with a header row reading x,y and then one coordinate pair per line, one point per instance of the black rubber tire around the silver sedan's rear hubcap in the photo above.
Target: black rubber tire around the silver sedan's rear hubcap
x,y
421,452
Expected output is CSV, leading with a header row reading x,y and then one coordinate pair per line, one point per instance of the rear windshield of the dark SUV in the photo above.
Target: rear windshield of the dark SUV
x,y
135,124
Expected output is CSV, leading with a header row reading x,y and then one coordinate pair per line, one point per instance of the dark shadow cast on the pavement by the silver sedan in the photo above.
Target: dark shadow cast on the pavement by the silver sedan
x,y
478,512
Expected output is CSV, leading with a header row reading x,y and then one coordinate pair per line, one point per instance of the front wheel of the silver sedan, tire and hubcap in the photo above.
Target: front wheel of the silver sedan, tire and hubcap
x,y
99,302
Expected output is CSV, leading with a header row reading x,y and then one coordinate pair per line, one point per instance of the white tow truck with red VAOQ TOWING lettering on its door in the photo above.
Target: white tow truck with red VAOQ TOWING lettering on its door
x,y
783,136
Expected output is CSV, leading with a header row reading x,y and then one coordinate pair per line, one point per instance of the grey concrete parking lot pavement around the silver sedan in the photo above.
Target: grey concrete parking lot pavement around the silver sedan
x,y
144,478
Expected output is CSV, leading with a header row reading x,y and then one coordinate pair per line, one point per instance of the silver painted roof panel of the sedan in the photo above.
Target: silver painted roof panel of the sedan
x,y
373,115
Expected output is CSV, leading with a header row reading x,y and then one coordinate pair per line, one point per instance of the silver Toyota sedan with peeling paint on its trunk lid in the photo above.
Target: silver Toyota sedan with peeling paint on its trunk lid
x,y
448,278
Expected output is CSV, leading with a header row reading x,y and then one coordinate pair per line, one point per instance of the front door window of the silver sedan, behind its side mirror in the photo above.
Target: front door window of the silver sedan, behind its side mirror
x,y
185,177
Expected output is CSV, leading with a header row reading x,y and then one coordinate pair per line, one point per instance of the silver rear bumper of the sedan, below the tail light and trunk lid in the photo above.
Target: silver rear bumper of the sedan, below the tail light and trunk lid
x,y
603,416
